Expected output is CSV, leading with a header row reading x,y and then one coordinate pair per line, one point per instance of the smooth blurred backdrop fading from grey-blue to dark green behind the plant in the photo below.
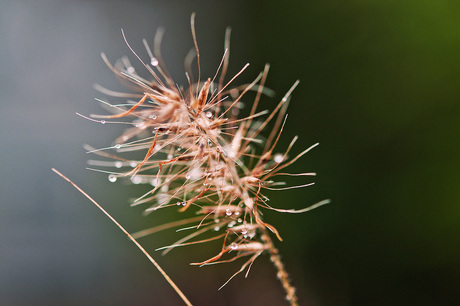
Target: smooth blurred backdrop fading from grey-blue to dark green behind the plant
x,y
379,90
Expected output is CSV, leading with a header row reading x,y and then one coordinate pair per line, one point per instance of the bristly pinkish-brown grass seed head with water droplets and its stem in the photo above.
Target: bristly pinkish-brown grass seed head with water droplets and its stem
x,y
197,155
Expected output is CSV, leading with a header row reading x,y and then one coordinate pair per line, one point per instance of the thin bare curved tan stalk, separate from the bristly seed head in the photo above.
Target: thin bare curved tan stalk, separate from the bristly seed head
x,y
168,279
